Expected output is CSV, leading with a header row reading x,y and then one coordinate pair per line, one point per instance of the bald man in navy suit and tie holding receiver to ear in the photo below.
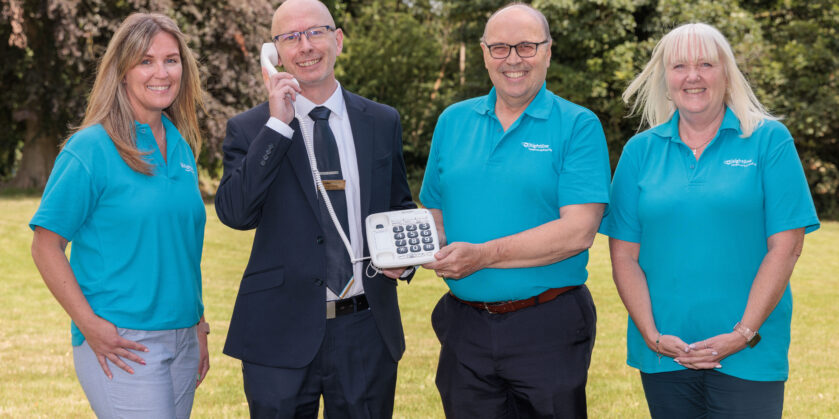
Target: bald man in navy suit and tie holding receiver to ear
x,y
308,321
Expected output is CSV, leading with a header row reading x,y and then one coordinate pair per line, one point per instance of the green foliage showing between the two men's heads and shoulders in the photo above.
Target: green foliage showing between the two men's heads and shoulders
x,y
406,80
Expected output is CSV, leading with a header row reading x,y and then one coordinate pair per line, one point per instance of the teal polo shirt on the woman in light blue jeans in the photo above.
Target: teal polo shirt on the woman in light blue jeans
x,y
137,239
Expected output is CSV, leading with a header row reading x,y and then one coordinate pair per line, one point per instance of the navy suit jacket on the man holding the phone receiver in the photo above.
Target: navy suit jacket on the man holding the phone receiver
x,y
280,314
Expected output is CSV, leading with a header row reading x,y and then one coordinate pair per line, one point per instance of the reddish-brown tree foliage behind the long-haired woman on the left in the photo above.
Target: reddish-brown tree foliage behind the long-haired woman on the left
x,y
53,49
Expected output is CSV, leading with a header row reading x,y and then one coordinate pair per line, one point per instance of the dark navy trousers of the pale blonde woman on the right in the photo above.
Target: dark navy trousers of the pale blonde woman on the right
x,y
710,394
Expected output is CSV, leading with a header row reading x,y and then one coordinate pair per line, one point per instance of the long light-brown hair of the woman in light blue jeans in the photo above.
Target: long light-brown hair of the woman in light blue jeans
x,y
108,102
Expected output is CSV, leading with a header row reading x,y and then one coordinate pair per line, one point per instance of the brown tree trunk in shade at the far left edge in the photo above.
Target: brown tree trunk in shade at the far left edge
x,y
38,156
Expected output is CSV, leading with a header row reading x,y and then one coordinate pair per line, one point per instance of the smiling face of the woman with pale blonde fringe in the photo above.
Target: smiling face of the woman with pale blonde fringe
x,y
696,81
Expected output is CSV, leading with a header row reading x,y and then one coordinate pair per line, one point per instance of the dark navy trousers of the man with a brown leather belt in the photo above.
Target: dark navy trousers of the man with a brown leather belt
x,y
531,363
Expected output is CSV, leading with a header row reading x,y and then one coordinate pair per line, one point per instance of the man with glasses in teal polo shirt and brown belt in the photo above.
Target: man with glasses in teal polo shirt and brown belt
x,y
517,182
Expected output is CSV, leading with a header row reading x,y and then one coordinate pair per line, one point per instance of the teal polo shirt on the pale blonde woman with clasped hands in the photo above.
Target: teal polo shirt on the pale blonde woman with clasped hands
x,y
703,228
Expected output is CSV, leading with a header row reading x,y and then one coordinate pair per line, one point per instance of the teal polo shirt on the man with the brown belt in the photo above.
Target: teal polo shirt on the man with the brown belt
x,y
490,184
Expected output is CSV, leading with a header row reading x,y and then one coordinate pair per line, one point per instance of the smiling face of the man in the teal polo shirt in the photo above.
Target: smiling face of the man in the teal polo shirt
x,y
517,80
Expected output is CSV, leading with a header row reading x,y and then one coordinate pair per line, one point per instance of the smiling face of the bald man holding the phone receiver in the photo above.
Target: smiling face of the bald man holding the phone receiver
x,y
312,63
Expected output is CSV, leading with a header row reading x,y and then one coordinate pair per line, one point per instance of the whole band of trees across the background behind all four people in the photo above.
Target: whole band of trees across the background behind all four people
x,y
422,55
